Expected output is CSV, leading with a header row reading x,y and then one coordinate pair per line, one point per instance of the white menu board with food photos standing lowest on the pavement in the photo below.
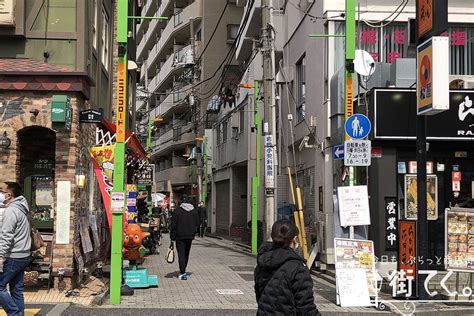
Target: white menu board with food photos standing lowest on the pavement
x,y
355,255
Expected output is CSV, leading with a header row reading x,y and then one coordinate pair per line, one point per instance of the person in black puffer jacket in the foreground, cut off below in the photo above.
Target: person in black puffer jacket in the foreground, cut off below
x,y
283,285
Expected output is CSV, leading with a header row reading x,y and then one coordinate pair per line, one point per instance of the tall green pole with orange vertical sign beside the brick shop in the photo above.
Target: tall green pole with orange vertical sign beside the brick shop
x,y
119,154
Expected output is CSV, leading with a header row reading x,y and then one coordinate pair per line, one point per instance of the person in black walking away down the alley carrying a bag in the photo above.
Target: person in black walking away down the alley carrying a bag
x,y
184,224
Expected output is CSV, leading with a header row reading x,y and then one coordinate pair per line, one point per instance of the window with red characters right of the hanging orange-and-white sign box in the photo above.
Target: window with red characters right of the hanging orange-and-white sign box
x,y
462,50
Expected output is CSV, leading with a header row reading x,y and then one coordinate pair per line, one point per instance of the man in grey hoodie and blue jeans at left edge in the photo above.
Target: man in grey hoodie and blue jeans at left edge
x,y
15,248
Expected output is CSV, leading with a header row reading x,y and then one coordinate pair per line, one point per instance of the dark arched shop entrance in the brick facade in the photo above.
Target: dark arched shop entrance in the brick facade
x,y
37,169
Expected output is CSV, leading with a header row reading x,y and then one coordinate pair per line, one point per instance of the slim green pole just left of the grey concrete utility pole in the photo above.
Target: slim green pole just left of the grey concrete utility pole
x,y
256,179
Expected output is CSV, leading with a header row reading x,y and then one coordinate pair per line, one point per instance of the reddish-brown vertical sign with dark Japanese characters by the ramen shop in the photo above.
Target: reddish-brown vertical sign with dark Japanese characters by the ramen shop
x,y
407,247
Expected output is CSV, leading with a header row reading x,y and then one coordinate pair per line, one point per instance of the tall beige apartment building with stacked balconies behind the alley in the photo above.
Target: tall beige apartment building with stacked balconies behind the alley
x,y
172,68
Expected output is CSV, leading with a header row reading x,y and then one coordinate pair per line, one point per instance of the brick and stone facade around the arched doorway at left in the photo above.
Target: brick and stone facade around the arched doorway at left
x,y
16,113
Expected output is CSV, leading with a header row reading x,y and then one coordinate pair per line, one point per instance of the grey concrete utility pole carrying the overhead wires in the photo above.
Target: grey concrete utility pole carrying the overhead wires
x,y
269,116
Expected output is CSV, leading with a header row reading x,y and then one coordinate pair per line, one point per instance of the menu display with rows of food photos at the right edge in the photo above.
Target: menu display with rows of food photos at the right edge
x,y
460,239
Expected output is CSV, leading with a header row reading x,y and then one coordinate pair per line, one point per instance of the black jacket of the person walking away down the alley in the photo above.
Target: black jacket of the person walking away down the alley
x,y
184,222
